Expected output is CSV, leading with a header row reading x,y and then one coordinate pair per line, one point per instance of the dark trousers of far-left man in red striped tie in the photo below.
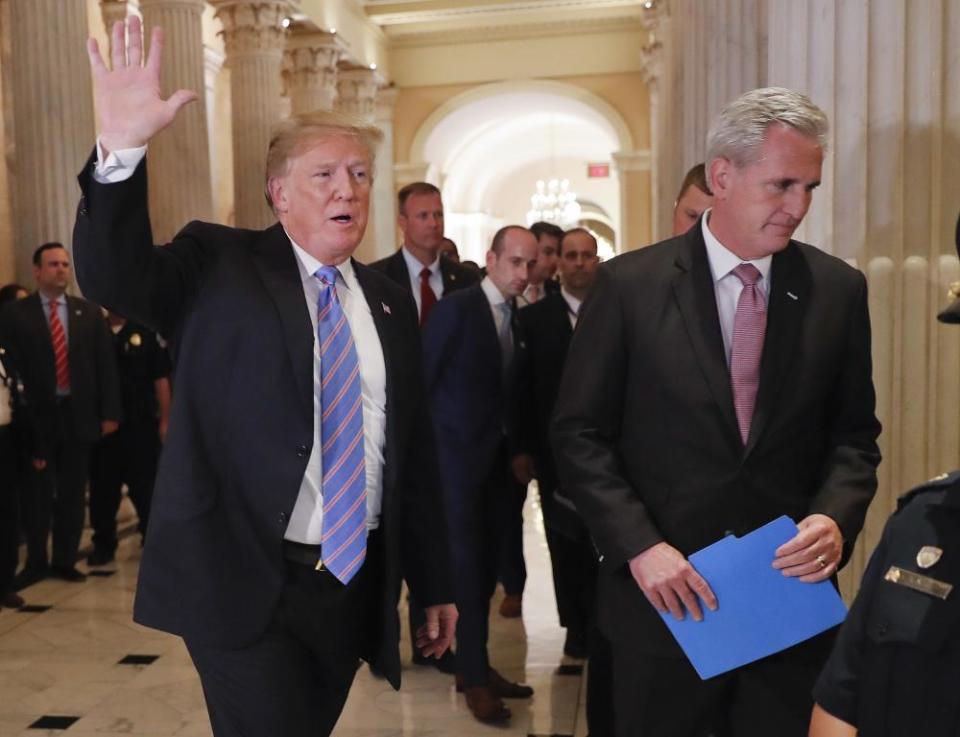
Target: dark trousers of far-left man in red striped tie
x,y
56,498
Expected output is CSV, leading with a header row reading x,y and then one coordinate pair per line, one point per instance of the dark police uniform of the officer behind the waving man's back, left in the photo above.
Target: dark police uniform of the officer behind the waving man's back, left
x,y
130,455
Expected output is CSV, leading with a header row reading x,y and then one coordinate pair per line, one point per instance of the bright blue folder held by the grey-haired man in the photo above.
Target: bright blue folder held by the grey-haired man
x,y
760,611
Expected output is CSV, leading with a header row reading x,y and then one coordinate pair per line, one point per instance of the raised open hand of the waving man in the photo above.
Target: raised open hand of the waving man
x,y
130,109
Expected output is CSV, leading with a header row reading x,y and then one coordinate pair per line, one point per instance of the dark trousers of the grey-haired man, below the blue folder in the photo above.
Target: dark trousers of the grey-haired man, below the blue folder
x,y
664,697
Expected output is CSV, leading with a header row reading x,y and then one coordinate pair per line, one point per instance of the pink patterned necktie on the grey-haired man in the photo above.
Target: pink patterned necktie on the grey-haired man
x,y
749,326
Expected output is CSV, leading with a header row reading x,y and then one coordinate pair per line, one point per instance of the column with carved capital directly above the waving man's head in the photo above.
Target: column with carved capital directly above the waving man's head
x,y
310,68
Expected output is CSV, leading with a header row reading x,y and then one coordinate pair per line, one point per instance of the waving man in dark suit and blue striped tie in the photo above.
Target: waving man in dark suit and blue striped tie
x,y
282,511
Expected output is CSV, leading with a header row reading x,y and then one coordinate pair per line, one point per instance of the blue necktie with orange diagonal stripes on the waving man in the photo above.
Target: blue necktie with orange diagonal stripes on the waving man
x,y
344,544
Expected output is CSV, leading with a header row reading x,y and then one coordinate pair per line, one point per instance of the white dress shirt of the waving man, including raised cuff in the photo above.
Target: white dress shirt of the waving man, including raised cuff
x,y
306,521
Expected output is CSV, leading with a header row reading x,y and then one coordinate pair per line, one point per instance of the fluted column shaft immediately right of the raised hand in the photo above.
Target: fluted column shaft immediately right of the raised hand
x,y
179,157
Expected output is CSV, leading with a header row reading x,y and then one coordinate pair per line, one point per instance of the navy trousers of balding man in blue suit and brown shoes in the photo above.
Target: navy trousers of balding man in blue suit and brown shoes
x,y
475,517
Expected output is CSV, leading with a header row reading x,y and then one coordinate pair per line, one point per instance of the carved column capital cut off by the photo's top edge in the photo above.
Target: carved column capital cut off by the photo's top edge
x,y
253,26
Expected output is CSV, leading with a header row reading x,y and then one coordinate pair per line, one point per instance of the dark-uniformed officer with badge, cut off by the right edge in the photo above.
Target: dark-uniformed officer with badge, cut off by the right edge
x,y
893,670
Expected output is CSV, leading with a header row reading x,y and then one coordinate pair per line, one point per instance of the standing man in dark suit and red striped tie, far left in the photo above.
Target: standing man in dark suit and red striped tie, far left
x,y
73,398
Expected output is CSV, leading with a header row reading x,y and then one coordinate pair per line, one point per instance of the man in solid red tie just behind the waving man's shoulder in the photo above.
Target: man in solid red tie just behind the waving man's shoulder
x,y
417,266
